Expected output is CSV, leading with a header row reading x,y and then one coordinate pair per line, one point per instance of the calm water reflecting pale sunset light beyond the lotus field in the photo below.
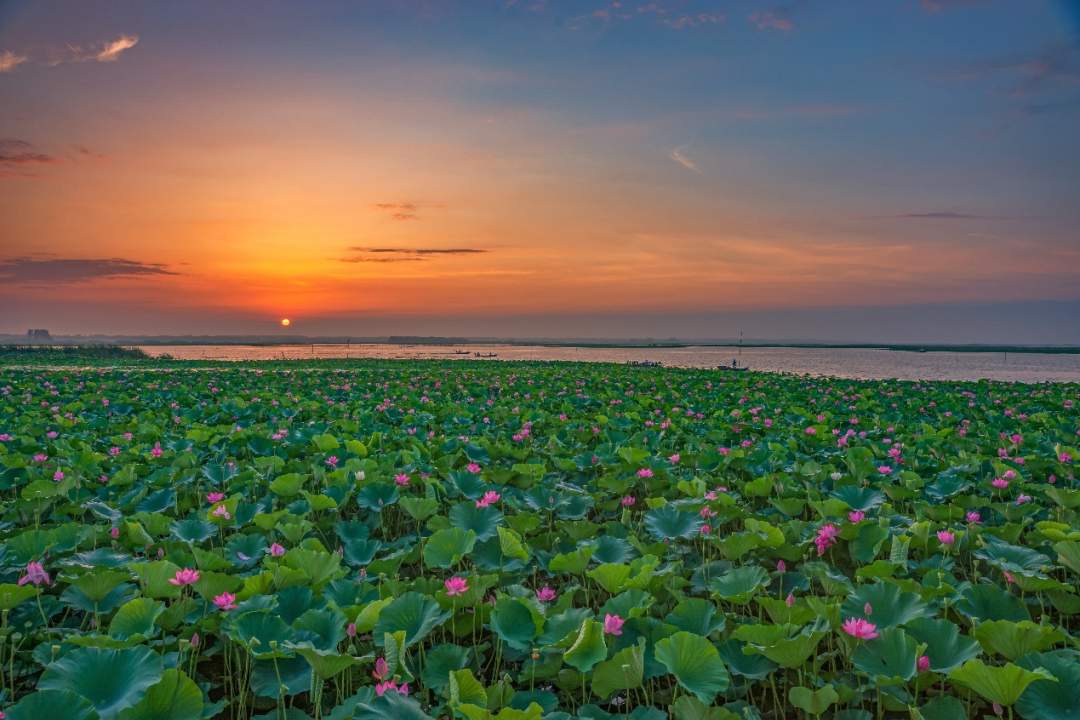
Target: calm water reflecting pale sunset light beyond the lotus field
x,y
847,363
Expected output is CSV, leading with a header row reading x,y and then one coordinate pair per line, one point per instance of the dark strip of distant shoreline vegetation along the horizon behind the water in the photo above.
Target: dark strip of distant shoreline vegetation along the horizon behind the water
x,y
10,345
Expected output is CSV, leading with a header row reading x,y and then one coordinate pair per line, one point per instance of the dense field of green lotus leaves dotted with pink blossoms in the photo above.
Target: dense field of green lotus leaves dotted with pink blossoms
x,y
413,540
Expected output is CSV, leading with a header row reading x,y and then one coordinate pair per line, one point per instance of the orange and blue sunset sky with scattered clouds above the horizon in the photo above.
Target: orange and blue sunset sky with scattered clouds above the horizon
x,y
836,170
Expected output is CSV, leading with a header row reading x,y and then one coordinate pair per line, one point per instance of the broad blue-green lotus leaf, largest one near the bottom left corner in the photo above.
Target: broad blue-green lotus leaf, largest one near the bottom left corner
x,y
113,681
